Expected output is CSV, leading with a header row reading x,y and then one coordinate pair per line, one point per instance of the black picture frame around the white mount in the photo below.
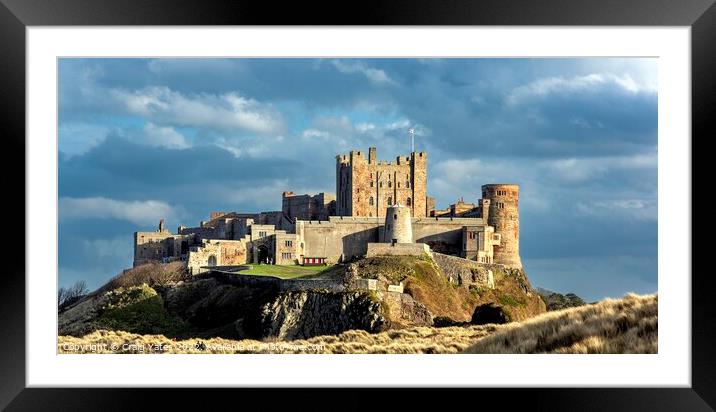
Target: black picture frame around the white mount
x,y
16,15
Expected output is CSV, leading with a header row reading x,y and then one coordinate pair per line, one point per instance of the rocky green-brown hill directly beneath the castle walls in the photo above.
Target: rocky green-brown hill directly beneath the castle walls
x,y
158,299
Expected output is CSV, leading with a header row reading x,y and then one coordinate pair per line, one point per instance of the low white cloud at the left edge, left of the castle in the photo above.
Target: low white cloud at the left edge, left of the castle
x,y
138,212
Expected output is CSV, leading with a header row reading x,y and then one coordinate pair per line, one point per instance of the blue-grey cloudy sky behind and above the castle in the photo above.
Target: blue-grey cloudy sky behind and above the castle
x,y
144,139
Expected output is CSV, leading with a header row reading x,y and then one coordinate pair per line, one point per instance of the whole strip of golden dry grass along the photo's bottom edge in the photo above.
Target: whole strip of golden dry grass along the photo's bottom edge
x,y
627,325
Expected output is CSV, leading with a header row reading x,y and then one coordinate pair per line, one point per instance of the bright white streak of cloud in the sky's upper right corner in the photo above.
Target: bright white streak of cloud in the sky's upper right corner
x,y
565,85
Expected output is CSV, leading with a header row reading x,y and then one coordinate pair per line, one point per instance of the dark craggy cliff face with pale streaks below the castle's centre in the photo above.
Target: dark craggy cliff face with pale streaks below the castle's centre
x,y
304,314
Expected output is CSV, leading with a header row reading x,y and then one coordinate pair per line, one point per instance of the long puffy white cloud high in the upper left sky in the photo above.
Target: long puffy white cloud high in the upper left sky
x,y
229,111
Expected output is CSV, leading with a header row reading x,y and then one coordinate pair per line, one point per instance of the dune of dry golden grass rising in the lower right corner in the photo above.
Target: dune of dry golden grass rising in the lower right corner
x,y
628,325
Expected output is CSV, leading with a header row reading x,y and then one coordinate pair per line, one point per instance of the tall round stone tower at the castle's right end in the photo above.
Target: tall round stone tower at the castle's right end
x,y
504,216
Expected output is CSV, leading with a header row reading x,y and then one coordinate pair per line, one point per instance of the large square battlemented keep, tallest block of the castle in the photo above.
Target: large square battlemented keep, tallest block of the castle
x,y
366,186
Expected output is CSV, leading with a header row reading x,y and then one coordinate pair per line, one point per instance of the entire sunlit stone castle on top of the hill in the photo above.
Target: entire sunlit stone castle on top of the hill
x,y
380,207
